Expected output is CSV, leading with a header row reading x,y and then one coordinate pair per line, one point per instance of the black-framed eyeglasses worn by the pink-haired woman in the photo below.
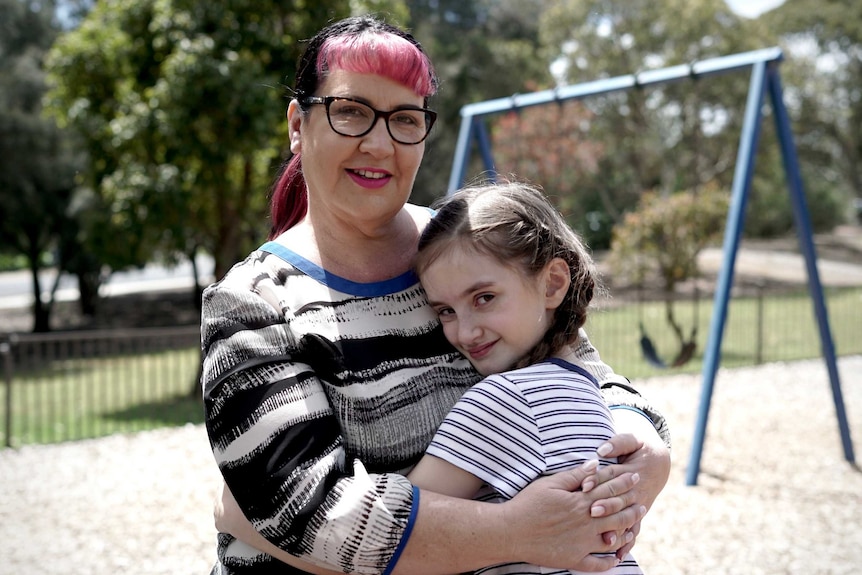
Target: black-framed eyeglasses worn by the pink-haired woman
x,y
349,117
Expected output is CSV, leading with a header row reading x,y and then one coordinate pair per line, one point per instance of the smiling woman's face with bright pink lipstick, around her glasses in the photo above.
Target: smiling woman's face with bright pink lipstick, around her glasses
x,y
362,181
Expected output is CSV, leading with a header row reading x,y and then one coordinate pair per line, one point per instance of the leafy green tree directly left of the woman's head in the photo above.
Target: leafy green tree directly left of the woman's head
x,y
181,108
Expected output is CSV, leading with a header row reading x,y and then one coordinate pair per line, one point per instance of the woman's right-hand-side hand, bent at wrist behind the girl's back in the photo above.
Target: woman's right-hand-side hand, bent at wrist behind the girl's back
x,y
639,450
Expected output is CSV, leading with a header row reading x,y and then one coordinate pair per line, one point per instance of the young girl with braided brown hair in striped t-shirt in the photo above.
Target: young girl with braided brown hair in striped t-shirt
x,y
511,283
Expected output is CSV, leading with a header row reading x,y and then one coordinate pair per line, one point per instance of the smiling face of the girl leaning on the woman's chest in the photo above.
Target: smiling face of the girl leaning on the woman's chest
x,y
492,313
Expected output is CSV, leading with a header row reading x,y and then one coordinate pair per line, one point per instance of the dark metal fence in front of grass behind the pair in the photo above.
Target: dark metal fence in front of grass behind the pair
x,y
74,385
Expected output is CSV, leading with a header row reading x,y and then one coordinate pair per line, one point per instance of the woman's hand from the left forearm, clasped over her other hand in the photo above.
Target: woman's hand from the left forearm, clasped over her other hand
x,y
549,522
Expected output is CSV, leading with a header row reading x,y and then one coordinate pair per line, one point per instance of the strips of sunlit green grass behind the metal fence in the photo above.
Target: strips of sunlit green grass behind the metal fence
x,y
80,398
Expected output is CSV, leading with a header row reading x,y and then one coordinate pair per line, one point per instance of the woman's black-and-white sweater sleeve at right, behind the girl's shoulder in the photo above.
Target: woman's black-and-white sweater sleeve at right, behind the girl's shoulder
x,y
616,389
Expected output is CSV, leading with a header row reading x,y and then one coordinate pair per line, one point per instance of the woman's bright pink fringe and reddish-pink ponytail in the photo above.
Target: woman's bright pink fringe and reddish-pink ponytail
x,y
369,52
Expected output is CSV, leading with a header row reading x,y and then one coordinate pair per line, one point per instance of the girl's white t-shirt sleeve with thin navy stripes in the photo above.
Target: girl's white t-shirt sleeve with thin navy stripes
x,y
492,433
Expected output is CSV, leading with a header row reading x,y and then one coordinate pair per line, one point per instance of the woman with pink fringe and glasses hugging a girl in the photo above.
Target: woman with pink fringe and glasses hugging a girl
x,y
326,372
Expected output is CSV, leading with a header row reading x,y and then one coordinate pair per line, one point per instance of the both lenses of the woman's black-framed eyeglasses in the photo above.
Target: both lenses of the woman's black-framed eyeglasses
x,y
351,118
